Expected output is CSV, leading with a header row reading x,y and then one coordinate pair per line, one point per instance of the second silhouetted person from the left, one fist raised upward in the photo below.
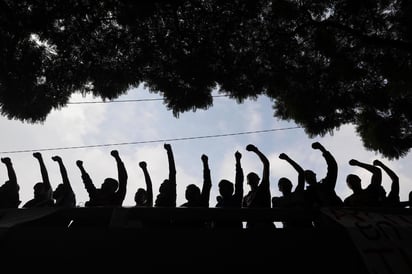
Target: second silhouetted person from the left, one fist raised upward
x,y
43,193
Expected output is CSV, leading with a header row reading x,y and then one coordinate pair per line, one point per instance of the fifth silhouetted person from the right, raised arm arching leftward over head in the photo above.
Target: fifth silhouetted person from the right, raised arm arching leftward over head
x,y
259,195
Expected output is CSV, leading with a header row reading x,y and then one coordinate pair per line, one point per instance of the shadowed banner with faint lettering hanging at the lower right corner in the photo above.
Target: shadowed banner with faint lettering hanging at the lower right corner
x,y
383,240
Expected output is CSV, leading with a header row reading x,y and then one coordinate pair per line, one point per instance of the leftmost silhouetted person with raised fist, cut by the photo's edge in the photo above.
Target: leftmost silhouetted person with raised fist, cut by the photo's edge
x,y
9,191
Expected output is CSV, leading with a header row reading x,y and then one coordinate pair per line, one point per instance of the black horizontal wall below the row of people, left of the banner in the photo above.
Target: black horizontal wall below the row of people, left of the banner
x,y
113,239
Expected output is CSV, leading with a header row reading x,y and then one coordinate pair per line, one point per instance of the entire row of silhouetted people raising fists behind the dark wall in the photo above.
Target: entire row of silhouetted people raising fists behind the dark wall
x,y
316,194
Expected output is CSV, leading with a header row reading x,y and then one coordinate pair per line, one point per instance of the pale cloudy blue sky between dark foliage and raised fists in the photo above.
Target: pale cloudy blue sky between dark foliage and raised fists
x,y
95,124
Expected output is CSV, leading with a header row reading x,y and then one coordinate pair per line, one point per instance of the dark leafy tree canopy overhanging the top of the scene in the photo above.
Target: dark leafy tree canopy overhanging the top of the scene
x,y
324,63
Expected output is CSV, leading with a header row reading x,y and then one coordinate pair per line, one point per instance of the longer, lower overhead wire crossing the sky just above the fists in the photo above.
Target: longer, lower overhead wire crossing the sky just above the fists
x,y
150,141
